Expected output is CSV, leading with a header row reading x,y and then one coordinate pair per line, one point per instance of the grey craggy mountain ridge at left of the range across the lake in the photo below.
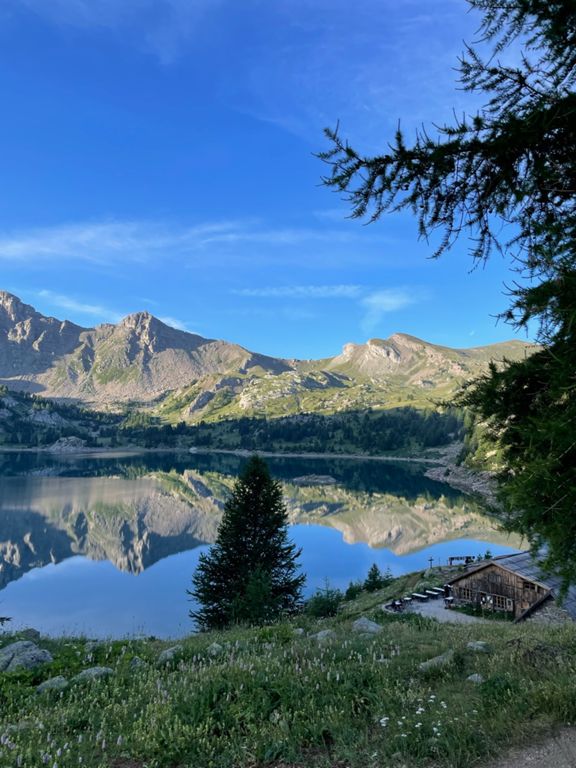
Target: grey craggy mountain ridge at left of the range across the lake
x,y
140,358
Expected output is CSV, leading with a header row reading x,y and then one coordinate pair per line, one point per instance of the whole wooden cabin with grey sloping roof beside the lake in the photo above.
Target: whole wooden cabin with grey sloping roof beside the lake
x,y
512,584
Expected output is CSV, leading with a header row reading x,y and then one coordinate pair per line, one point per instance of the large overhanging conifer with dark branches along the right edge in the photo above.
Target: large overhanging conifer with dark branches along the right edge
x,y
505,178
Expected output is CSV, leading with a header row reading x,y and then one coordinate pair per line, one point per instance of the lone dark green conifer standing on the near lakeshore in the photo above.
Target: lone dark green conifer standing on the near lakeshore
x,y
251,572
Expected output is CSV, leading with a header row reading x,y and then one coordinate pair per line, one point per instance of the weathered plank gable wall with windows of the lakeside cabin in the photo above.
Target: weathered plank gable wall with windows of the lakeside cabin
x,y
499,589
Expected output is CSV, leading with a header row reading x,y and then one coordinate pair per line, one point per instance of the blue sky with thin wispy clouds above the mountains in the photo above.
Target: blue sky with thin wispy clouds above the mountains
x,y
159,155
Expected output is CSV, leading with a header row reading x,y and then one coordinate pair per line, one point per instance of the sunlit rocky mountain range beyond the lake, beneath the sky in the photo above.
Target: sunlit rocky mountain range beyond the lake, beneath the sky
x,y
143,362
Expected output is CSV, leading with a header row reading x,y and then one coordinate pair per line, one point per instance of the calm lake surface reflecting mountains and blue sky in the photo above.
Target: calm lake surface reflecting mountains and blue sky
x,y
105,545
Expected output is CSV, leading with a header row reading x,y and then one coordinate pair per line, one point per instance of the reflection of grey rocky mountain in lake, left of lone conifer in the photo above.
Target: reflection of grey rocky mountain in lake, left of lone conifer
x,y
133,524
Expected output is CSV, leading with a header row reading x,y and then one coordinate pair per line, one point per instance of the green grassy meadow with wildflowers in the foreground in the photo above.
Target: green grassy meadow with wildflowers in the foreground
x,y
274,697
